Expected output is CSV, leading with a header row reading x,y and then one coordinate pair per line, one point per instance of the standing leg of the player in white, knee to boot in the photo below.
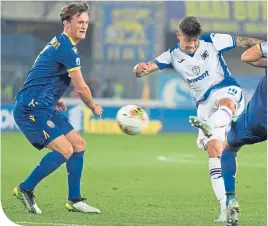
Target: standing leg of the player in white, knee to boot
x,y
214,148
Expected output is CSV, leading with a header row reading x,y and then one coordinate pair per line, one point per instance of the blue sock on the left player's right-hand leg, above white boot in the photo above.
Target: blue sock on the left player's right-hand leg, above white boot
x,y
74,167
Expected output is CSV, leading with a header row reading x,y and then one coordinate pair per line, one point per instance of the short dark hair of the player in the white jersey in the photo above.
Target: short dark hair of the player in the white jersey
x,y
190,26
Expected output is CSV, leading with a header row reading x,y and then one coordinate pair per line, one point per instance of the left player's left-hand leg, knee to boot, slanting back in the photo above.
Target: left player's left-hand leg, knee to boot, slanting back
x,y
48,164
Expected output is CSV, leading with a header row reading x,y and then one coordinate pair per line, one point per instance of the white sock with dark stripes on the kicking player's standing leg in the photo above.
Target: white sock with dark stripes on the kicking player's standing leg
x,y
217,181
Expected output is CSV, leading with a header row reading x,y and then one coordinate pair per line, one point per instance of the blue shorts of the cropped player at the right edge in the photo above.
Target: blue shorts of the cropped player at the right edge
x,y
246,132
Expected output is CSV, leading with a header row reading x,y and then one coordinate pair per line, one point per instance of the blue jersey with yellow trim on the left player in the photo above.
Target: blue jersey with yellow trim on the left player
x,y
48,78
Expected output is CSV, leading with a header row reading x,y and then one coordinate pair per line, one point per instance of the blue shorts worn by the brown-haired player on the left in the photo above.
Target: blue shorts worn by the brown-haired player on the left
x,y
39,127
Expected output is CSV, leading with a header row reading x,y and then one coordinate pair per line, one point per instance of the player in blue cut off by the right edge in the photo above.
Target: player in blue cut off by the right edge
x,y
250,128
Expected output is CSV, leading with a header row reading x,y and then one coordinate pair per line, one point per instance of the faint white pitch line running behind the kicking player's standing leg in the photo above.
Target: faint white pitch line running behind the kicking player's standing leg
x,y
190,160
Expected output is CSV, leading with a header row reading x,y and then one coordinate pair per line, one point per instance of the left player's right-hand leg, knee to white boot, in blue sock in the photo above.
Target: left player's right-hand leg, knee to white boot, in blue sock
x,y
74,167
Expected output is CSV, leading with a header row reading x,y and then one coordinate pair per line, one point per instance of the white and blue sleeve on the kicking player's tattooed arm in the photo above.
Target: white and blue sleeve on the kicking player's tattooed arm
x,y
223,42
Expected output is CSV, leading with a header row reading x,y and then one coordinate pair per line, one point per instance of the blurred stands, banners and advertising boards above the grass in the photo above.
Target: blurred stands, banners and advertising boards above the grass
x,y
120,35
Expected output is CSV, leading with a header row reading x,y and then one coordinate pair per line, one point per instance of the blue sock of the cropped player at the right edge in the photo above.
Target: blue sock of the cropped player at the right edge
x,y
228,164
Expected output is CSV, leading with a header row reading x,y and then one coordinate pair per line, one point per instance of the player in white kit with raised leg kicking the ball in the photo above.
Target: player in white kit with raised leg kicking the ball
x,y
198,60
